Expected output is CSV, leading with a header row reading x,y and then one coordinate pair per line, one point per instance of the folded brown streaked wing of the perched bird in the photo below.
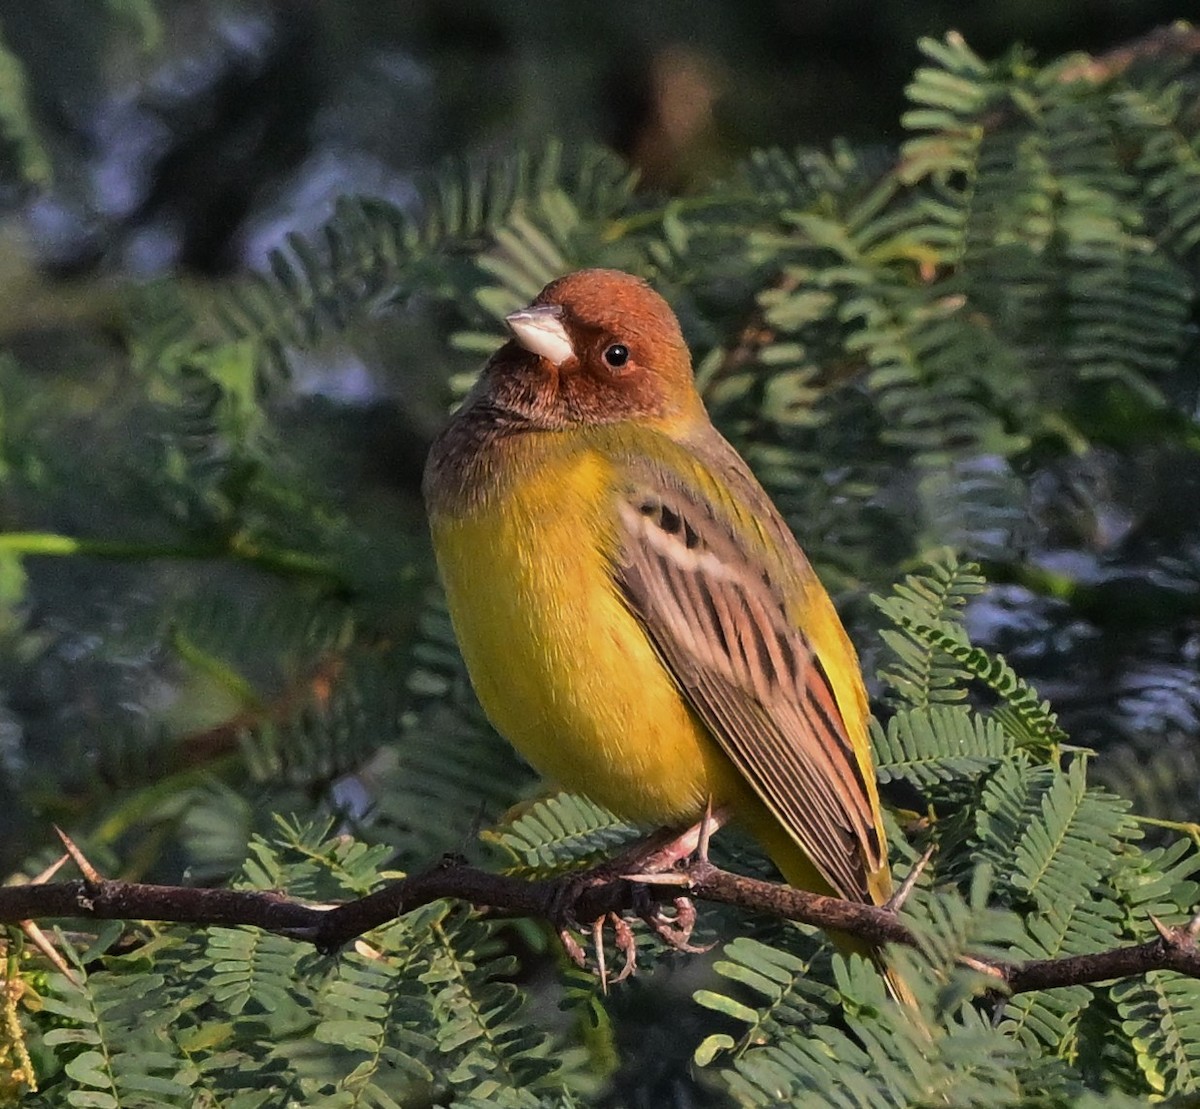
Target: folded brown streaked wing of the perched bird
x,y
719,624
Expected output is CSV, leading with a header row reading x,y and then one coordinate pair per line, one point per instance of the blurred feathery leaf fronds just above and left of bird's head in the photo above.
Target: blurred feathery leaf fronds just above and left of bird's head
x,y
527,209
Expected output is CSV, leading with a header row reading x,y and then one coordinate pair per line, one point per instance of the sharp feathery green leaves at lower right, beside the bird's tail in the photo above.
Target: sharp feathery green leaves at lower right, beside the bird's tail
x,y
1031,861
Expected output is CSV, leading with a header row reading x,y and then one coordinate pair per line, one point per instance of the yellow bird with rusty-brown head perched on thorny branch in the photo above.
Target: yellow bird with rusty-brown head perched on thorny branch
x,y
634,613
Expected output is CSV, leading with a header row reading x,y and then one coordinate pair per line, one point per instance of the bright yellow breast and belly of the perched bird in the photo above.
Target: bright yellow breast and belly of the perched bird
x,y
562,668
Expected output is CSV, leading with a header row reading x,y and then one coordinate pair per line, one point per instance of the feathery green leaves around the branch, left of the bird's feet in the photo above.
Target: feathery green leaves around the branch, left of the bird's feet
x,y
419,1010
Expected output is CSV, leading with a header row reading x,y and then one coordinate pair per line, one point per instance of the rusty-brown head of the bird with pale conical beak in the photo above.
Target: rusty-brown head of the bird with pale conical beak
x,y
596,347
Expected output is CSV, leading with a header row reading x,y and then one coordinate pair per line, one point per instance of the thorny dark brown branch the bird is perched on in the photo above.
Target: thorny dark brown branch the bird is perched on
x,y
578,898
